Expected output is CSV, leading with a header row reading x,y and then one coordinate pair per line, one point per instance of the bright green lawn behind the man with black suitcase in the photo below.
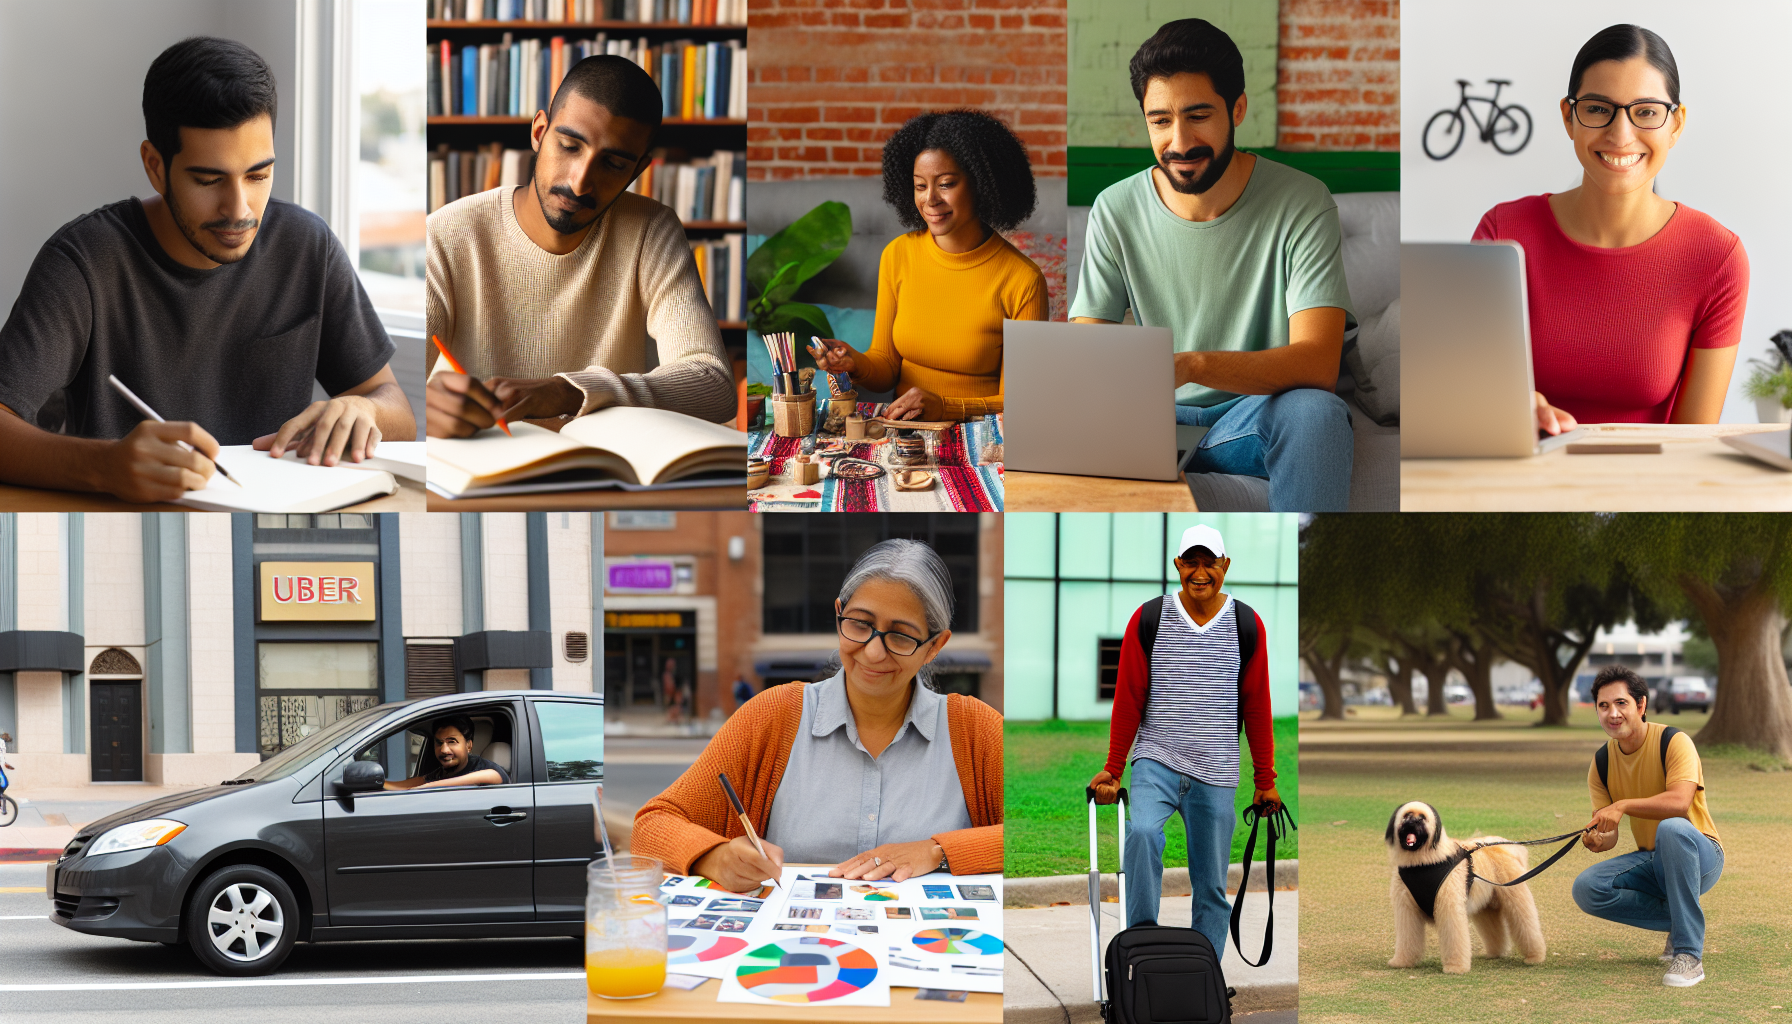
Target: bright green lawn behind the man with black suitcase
x,y
1047,822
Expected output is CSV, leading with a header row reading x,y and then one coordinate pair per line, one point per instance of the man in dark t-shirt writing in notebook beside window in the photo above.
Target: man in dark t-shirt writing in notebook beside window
x,y
211,300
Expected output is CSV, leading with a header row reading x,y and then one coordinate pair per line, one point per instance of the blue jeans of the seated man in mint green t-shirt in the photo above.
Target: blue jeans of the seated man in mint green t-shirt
x,y
1300,440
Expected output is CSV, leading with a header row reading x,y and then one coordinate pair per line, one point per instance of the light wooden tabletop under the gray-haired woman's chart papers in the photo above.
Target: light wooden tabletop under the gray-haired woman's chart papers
x,y
700,1005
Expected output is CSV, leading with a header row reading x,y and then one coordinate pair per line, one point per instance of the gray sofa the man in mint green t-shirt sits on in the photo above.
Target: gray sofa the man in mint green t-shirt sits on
x,y
1370,225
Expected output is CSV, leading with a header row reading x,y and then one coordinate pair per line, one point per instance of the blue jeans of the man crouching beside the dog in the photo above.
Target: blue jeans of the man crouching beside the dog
x,y
1660,889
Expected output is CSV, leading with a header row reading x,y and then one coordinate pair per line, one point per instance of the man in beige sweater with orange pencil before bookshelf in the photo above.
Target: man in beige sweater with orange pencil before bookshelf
x,y
569,293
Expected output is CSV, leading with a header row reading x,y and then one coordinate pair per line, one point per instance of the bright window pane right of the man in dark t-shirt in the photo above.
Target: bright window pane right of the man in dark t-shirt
x,y
392,173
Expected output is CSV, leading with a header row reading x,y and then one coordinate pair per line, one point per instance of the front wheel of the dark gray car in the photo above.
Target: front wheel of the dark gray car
x,y
243,921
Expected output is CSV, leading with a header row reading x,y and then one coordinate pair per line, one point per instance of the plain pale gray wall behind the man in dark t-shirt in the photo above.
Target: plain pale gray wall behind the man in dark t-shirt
x,y
74,117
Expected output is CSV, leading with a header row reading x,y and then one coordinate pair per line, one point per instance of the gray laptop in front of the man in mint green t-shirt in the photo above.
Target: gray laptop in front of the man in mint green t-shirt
x,y
1089,399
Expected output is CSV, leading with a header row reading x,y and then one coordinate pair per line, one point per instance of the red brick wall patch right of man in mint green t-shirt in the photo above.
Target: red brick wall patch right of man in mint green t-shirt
x,y
1340,76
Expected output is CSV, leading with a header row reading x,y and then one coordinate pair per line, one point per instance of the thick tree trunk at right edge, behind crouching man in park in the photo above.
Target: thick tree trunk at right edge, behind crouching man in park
x,y
1753,702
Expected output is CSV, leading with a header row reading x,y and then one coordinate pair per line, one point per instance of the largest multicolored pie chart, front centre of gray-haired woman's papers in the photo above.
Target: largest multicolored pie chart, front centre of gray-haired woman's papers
x,y
807,971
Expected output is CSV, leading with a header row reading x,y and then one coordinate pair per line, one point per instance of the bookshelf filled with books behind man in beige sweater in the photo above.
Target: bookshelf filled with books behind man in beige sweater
x,y
494,64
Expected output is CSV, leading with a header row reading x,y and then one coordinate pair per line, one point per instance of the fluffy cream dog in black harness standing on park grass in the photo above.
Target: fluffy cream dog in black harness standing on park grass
x,y
1433,883
